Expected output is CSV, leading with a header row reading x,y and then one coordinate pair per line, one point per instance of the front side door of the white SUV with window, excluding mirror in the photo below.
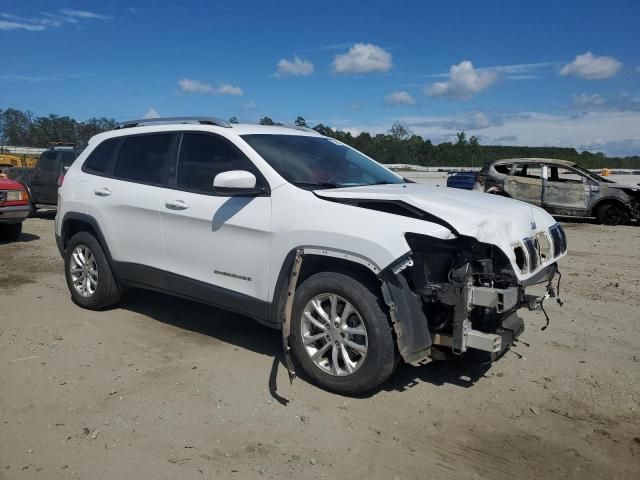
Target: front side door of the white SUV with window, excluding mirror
x,y
216,246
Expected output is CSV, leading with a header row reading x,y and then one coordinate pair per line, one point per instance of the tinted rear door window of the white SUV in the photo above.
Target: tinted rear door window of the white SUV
x,y
144,158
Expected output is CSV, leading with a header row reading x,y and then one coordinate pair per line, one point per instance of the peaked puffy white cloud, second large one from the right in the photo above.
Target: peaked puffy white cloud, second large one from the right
x,y
465,81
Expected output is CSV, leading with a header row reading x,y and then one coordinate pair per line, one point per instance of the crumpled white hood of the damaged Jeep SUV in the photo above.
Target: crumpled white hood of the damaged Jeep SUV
x,y
488,218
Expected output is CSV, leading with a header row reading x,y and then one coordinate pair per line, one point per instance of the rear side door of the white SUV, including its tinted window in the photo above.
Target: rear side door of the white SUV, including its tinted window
x,y
125,192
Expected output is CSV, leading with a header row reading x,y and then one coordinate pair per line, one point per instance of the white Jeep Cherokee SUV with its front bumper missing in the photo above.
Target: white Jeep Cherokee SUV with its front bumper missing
x,y
357,266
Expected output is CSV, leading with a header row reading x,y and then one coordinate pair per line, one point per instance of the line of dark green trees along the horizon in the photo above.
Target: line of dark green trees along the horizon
x,y
398,145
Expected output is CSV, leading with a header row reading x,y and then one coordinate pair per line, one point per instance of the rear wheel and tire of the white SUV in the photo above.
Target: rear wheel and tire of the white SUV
x,y
89,277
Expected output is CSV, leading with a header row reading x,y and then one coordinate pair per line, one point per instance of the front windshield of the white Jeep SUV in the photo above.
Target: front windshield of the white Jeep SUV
x,y
319,161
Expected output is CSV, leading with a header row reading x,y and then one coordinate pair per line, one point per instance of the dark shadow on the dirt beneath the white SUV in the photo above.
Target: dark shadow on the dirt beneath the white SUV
x,y
246,333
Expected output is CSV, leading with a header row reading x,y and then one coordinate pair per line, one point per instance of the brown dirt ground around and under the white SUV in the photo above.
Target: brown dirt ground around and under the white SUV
x,y
163,388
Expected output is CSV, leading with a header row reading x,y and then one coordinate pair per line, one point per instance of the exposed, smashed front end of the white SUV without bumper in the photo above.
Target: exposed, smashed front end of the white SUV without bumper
x,y
449,296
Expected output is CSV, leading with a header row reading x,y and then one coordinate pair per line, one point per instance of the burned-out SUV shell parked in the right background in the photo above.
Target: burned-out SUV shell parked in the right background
x,y
562,188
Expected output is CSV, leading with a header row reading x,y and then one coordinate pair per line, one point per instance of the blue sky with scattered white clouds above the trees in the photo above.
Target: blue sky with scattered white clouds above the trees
x,y
530,73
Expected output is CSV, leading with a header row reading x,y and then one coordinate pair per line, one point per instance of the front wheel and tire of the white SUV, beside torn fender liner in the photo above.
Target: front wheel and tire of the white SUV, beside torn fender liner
x,y
341,336
